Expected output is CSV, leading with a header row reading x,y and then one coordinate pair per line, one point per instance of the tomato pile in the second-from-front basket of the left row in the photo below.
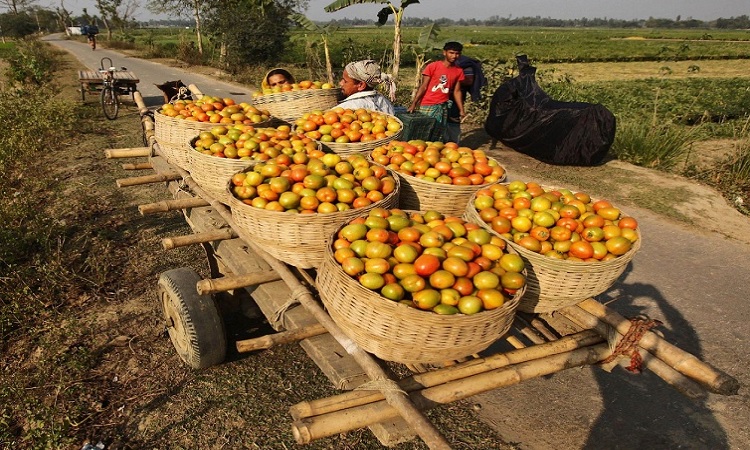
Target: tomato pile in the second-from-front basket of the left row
x,y
313,182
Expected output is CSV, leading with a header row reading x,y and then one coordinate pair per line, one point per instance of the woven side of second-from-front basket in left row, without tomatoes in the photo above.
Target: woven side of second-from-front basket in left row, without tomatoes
x,y
297,239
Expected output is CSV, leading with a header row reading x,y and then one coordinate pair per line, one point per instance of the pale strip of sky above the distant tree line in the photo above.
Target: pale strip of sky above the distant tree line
x,y
480,9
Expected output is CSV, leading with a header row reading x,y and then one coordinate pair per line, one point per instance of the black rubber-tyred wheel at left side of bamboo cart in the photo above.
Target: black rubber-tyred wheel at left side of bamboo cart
x,y
193,321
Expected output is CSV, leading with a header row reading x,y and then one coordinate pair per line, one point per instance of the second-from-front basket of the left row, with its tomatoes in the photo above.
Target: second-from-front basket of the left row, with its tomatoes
x,y
291,204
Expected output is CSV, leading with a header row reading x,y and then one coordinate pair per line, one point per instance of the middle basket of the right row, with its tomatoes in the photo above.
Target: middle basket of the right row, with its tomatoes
x,y
436,175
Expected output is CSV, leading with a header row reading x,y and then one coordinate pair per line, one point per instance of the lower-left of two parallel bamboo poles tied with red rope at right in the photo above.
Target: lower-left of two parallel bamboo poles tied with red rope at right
x,y
674,378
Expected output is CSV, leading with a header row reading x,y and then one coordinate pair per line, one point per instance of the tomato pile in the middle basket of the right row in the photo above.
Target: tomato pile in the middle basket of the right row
x,y
445,163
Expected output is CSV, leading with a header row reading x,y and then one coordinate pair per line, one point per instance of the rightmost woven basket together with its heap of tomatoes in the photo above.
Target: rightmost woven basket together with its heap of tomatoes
x,y
575,247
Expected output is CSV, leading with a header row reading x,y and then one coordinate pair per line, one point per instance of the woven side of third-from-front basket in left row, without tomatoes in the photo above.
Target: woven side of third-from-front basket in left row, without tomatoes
x,y
212,173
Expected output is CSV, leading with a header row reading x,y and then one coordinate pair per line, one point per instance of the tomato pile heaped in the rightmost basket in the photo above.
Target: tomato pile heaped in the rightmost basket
x,y
556,222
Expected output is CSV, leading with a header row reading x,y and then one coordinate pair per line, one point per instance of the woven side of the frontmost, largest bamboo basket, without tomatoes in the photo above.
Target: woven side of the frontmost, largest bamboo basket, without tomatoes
x,y
396,332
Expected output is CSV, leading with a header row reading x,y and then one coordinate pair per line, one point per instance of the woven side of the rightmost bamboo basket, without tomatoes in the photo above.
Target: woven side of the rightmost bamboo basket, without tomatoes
x,y
553,284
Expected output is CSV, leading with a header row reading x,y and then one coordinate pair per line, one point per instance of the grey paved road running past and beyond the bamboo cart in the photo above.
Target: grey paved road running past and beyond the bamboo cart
x,y
694,282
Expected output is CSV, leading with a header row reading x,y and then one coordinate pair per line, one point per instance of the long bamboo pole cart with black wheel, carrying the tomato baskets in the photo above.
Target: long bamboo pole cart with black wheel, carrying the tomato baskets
x,y
538,344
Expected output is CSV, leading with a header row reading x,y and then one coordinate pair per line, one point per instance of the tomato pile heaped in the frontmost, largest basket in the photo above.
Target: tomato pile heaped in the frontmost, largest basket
x,y
429,261
